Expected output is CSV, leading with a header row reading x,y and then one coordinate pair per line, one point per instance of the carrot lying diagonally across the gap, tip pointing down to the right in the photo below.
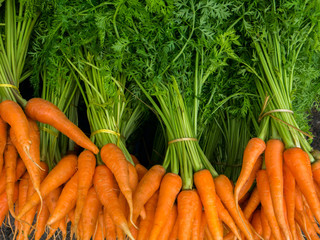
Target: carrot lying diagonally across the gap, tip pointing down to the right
x,y
45,112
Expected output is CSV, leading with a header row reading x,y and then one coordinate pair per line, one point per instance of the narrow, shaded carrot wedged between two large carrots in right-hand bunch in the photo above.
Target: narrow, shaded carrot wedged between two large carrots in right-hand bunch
x,y
289,197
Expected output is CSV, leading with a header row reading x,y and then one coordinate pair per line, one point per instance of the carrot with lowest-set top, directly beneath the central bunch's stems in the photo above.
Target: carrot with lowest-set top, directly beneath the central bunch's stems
x,y
186,210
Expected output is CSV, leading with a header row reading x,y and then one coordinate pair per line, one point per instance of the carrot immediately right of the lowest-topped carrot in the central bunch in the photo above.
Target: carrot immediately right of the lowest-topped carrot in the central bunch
x,y
204,183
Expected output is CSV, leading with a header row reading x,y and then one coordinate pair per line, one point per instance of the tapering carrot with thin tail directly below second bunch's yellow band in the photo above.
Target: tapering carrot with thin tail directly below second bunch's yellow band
x,y
116,161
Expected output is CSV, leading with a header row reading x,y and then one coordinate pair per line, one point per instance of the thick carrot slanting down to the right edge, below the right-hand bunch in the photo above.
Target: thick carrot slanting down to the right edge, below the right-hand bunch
x,y
300,167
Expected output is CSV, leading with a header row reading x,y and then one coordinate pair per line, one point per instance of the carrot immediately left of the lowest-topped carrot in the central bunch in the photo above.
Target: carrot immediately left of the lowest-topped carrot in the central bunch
x,y
169,188
